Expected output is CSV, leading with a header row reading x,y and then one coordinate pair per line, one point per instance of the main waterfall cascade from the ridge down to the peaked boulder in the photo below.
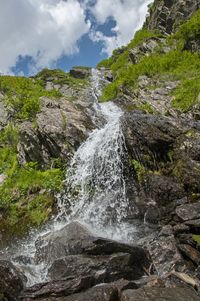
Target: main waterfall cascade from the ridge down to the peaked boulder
x,y
95,186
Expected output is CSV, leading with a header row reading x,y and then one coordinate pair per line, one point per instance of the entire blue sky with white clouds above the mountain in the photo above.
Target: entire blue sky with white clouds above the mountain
x,y
61,33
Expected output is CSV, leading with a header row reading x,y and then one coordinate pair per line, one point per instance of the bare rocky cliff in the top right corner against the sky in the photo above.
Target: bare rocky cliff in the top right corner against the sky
x,y
168,15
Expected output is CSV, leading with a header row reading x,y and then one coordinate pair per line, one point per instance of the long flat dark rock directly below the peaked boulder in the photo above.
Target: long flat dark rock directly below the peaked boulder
x,y
103,268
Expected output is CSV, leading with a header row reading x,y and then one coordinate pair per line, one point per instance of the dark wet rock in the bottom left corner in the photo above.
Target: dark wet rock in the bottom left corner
x,y
11,281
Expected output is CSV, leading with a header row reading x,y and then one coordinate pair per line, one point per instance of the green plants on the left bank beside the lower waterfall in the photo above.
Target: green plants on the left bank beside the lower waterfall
x,y
26,195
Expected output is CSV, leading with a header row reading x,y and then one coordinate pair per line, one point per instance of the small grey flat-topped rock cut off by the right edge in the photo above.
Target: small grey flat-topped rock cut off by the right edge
x,y
188,211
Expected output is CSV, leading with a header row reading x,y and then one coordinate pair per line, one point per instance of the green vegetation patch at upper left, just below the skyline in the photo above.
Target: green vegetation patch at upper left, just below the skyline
x,y
22,95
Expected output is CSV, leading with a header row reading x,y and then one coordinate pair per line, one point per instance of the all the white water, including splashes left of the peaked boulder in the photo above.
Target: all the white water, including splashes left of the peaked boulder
x,y
95,191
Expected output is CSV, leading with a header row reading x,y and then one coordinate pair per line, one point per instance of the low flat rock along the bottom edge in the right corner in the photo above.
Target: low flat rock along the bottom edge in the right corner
x,y
160,294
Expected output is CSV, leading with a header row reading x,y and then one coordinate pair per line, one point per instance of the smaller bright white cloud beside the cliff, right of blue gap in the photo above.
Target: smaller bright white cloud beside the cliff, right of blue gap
x,y
129,16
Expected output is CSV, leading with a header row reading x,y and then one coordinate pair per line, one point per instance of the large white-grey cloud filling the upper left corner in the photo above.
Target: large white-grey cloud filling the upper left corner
x,y
42,29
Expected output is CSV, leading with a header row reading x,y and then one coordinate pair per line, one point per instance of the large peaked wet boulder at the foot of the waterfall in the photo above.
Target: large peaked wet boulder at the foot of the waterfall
x,y
75,239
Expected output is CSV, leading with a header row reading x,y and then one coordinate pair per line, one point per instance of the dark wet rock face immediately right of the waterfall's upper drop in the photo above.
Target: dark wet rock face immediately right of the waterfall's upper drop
x,y
148,135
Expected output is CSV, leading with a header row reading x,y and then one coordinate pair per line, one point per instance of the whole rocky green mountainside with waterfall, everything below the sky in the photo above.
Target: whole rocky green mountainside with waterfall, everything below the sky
x,y
131,168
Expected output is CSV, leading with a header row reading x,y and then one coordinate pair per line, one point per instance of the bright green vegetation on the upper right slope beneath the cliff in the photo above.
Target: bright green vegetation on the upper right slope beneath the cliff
x,y
177,64
